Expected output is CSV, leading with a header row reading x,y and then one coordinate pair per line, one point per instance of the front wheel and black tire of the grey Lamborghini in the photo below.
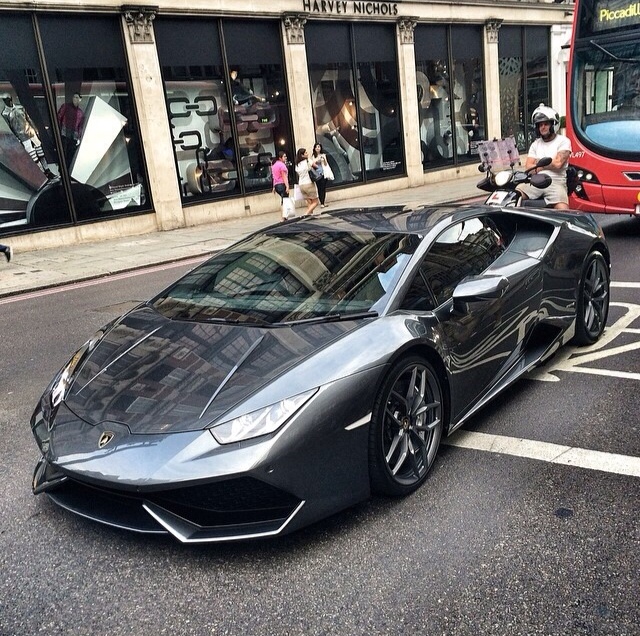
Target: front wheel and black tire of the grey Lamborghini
x,y
406,427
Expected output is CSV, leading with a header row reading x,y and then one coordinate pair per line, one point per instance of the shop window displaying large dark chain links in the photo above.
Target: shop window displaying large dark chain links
x,y
227,105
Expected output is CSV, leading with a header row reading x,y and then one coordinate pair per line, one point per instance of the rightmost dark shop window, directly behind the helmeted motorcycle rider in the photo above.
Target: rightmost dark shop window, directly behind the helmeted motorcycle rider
x,y
524,80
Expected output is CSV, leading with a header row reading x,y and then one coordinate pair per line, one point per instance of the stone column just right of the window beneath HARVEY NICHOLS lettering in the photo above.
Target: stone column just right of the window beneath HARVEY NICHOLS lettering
x,y
408,95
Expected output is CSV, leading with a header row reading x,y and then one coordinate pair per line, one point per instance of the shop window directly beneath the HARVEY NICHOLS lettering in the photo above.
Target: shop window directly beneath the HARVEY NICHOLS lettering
x,y
356,99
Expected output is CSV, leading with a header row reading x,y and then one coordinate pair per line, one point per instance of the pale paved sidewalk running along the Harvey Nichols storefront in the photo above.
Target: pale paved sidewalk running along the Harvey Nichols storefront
x,y
29,271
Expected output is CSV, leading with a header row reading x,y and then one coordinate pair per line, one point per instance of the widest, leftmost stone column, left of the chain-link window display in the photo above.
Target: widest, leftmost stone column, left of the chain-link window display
x,y
155,134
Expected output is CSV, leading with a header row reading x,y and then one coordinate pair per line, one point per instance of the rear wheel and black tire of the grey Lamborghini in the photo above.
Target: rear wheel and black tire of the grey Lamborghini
x,y
593,300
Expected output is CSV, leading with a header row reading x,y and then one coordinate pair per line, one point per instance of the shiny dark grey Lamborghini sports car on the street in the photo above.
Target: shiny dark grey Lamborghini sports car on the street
x,y
311,364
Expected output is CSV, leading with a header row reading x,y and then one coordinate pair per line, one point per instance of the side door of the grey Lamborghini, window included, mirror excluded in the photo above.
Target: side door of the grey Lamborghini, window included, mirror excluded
x,y
483,337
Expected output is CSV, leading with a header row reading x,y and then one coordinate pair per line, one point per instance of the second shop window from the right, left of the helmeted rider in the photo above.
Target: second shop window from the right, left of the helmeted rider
x,y
451,102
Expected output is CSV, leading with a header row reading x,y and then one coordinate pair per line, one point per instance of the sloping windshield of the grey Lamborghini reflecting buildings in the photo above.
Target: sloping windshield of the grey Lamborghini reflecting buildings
x,y
281,277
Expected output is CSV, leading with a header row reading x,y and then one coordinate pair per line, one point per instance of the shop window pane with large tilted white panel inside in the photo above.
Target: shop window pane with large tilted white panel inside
x,y
95,115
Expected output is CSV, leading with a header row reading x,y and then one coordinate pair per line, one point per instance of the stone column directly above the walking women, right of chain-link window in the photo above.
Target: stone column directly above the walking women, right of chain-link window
x,y
298,86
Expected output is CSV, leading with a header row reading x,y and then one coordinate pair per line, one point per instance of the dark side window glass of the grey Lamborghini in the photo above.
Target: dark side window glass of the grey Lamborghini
x,y
465,249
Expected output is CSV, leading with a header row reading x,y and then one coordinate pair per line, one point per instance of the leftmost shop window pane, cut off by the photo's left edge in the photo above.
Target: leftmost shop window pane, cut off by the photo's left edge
x,y
30,191
